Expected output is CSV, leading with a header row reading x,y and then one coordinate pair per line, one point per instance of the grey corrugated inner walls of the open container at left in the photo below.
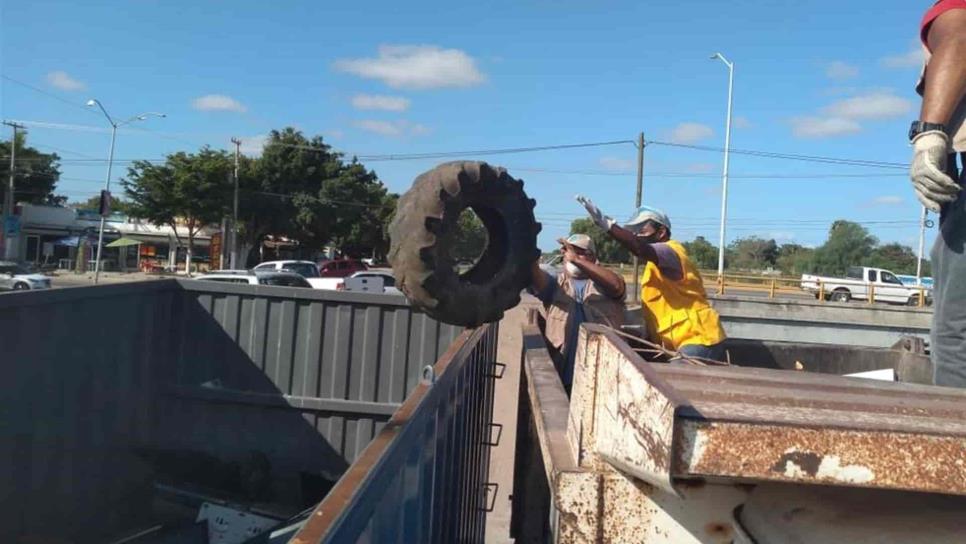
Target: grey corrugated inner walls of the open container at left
x,y
101,383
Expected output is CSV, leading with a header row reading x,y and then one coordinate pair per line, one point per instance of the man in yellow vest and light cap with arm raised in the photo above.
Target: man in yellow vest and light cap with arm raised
x,y
675,305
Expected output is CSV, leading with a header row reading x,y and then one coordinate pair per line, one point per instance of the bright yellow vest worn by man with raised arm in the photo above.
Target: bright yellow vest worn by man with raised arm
x,y
677,313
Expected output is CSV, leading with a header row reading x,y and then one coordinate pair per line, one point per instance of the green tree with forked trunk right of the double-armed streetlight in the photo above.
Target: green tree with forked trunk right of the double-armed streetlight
x,y
191,190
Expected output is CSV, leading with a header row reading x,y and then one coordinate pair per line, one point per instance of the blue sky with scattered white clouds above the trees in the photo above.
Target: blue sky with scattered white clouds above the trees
x,y
812,77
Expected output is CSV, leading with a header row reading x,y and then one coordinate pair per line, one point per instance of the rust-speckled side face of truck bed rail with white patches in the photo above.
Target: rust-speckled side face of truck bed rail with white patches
x,y
889,460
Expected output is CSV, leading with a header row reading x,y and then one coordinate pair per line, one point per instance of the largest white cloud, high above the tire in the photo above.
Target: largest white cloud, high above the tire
x,y
416,67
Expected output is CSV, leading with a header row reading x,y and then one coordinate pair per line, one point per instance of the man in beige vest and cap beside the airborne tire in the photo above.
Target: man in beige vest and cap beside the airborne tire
x,y
585,292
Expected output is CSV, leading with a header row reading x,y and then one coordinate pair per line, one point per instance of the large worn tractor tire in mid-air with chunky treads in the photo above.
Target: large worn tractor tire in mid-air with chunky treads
x,y
424,228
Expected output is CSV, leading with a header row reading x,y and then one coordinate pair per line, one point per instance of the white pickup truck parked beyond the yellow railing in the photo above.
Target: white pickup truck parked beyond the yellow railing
x,y
861,281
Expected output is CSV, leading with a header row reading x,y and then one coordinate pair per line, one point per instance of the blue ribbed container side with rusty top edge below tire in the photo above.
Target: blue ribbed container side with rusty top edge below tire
x,y
423,478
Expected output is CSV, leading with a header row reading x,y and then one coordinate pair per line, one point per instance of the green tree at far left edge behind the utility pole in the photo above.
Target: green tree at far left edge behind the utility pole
x,y
36,173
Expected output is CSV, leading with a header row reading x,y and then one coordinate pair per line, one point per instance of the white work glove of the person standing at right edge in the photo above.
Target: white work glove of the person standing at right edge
x,y
928,170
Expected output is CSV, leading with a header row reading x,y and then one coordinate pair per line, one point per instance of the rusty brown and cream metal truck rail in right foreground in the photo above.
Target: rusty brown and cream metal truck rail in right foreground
x,y
660,422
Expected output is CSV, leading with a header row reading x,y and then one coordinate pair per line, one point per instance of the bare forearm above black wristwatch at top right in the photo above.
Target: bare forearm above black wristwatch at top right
x,y
946,76
